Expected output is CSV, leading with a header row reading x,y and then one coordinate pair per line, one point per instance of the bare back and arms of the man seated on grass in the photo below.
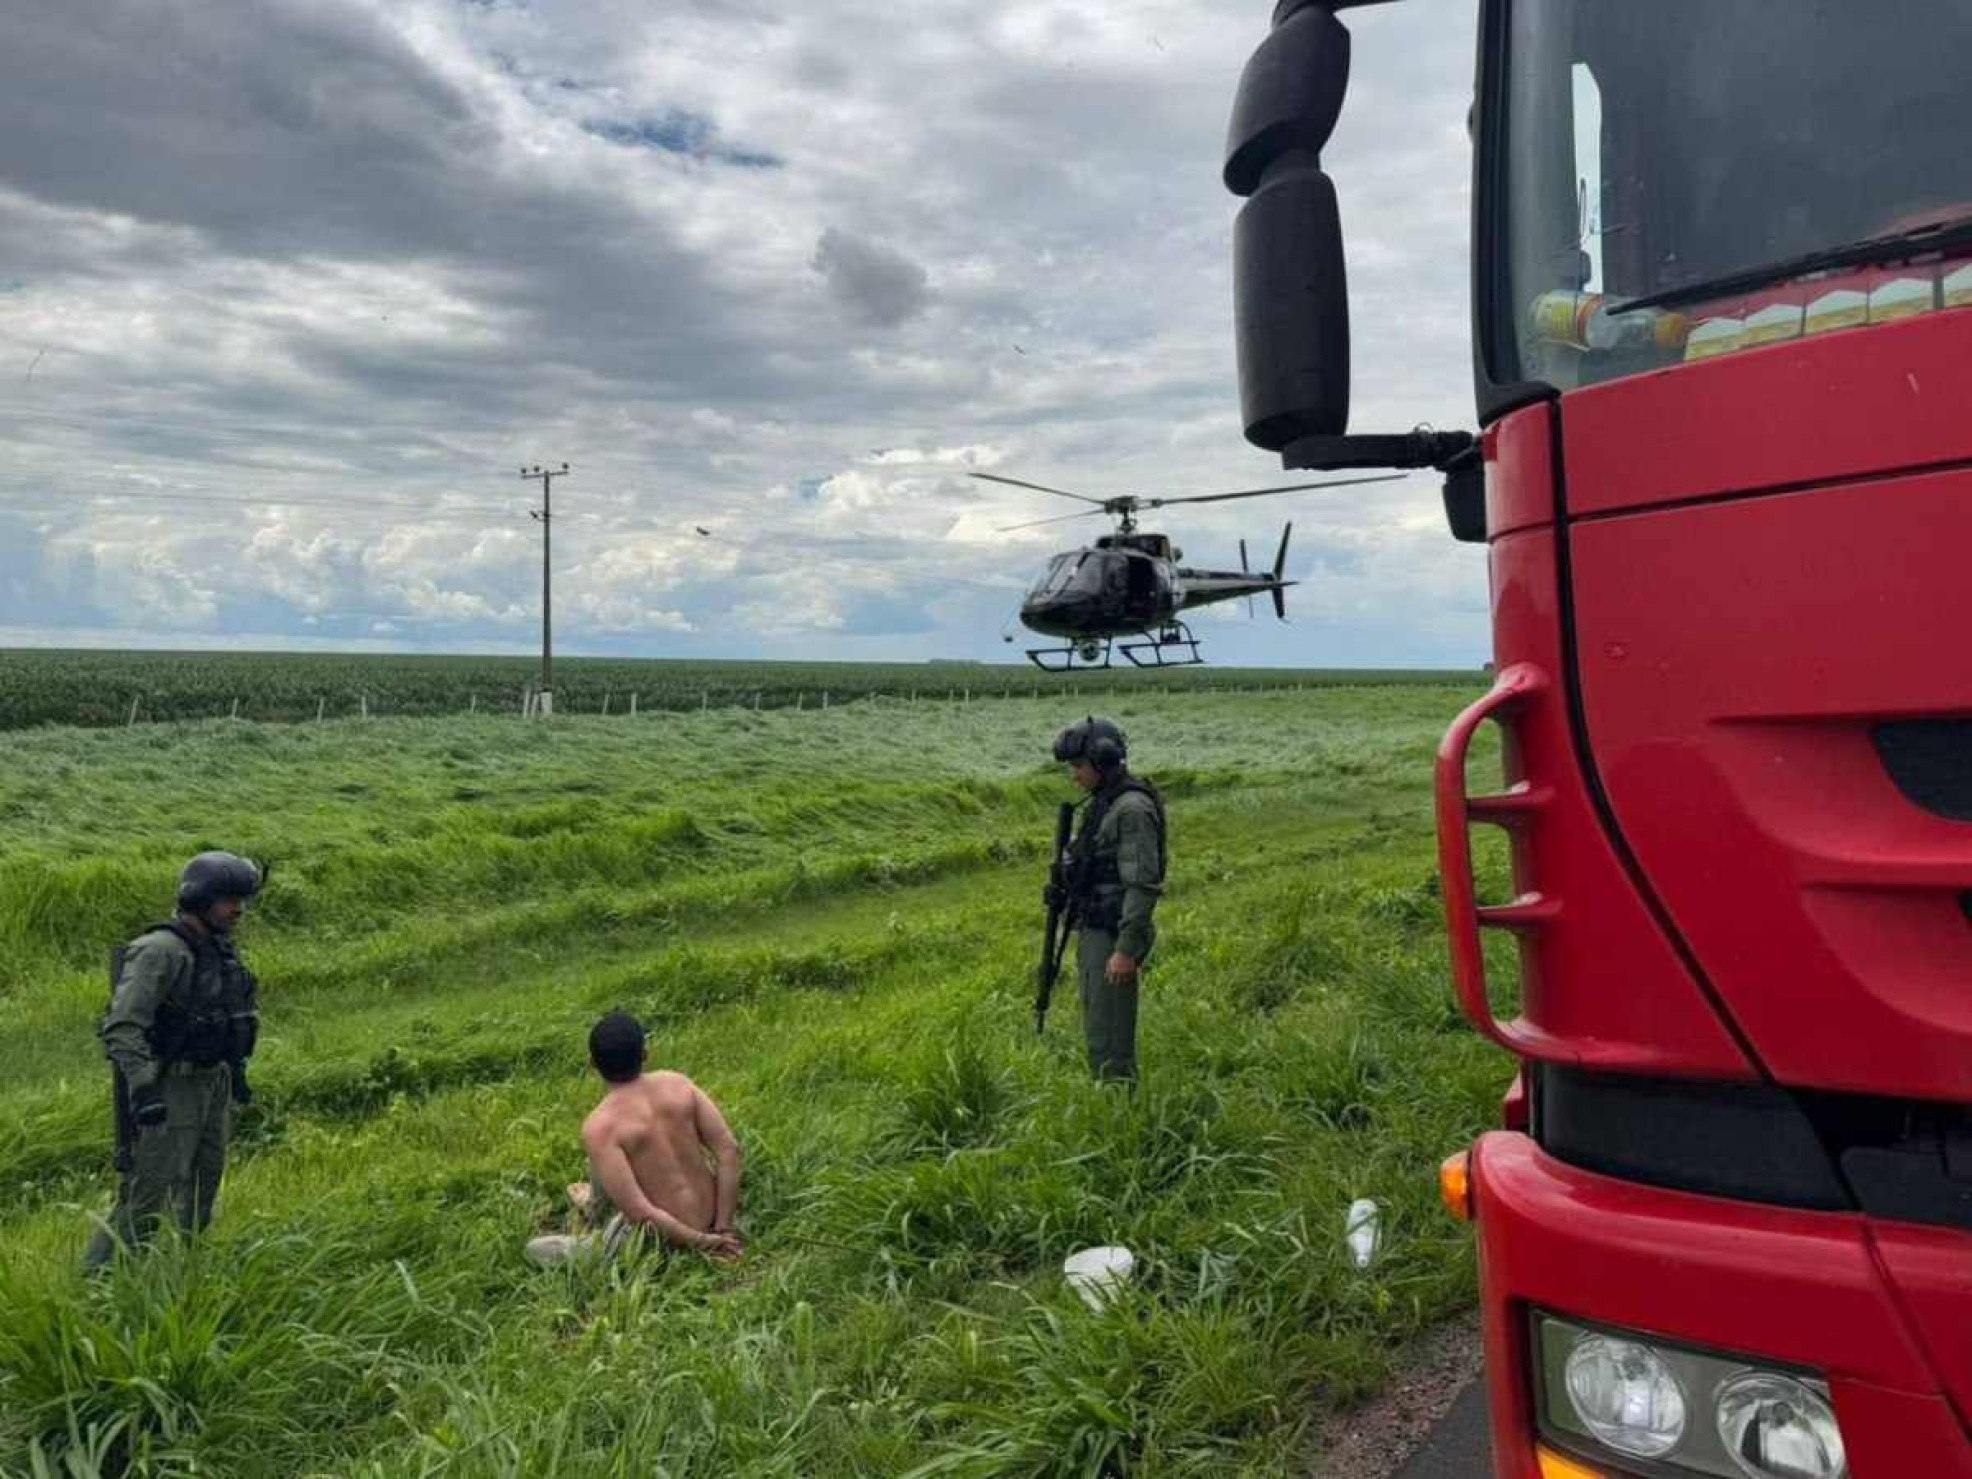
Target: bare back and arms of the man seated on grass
x,y
668,1159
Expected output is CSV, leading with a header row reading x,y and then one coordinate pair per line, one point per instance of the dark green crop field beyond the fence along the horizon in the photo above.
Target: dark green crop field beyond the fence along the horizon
x,y
104,687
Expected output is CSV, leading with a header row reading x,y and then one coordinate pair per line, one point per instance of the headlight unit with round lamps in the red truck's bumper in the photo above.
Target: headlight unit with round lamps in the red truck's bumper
x,y
1610,1395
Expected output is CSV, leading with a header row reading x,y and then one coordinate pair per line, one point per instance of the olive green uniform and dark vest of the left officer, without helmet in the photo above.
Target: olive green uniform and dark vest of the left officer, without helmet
x,y
182,1019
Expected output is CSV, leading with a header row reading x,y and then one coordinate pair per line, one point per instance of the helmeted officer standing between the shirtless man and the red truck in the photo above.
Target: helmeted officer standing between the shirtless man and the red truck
x,y
1115,879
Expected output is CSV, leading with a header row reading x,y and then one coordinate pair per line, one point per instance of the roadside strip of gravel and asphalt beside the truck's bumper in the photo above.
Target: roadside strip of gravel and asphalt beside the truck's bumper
x,y
1419,1429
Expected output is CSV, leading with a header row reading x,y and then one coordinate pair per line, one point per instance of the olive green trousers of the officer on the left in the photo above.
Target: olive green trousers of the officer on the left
x,y
175,1164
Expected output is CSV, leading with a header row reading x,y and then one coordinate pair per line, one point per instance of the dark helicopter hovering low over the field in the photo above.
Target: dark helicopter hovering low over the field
x,y
1123,595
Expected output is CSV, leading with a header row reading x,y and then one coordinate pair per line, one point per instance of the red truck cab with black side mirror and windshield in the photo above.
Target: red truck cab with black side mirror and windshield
x,y
1723,342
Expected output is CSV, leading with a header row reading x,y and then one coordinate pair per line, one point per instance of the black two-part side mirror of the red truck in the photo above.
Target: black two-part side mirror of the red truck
x,y
1291,293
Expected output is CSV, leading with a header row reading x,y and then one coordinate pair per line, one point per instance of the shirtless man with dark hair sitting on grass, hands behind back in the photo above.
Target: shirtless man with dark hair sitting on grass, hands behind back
x,y
660,1151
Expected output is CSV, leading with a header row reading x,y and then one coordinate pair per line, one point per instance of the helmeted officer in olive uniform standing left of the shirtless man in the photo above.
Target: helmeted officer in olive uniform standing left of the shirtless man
x,y
178,1034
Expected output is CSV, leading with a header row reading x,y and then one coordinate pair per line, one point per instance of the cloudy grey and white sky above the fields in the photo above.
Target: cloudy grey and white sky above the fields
x,y
293,289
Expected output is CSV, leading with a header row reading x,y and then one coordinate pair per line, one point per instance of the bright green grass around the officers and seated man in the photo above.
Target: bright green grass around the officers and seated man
x,y
829,920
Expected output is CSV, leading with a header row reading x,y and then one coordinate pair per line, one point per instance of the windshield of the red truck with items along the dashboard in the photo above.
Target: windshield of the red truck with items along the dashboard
x,y
1695,153
